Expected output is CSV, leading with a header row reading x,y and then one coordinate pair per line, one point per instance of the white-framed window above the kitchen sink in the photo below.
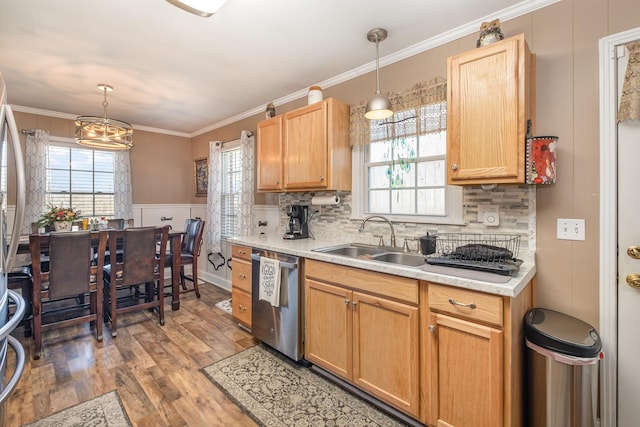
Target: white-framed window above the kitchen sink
x,y
401,172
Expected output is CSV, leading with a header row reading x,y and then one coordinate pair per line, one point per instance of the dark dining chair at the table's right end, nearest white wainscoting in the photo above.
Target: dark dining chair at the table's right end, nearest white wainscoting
x,y
189,251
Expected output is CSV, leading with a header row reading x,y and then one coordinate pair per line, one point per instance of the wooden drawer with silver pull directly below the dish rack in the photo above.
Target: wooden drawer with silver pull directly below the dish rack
x,y
463,303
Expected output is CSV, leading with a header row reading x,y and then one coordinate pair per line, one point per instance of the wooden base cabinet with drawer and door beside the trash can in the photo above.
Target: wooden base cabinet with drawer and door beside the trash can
x,y
473,347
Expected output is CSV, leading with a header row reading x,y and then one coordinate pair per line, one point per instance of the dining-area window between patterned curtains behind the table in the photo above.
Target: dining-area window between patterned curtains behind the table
x,y
81,178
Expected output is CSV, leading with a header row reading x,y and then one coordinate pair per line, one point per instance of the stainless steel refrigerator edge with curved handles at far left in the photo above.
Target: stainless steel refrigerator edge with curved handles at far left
x,y
9,135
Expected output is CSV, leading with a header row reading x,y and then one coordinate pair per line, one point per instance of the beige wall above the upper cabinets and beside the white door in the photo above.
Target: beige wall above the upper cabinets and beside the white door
x,y
564,38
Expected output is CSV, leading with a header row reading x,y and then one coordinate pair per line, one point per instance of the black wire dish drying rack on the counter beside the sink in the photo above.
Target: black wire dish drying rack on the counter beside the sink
x,y
496,253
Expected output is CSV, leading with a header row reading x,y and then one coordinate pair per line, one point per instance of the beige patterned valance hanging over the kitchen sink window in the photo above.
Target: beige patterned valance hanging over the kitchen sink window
x,y
422,95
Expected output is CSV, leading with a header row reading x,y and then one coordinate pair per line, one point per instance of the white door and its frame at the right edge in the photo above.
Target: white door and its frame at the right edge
x,y
619,230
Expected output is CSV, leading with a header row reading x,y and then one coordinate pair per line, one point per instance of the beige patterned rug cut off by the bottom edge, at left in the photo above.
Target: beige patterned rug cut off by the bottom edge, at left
x,y
105,410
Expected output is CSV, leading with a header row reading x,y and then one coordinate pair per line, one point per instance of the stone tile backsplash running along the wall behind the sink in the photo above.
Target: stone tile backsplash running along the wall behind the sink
x,y
516,204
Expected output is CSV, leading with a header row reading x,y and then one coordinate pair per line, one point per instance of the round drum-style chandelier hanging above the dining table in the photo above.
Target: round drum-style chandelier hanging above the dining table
x,y
102,132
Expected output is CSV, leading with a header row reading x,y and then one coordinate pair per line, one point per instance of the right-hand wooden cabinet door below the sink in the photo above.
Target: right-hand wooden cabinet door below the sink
x,y
386,350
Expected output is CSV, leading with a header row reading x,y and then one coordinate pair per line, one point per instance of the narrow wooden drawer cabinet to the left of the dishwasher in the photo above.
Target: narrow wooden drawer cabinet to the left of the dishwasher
x,y
241,285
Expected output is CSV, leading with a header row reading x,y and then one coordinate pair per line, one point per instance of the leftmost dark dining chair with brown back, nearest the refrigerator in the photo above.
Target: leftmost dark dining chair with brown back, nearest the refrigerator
x,y
59,290
